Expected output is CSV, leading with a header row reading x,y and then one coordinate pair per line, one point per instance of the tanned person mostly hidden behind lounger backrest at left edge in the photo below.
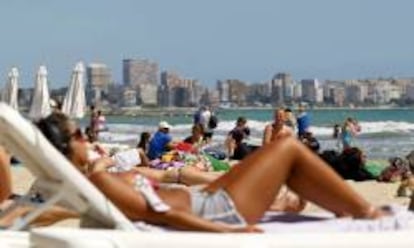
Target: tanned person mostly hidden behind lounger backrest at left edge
x,y
49,217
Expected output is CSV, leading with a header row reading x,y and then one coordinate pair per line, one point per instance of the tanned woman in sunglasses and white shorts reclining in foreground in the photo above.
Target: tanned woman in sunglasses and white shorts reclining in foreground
x,y
236,201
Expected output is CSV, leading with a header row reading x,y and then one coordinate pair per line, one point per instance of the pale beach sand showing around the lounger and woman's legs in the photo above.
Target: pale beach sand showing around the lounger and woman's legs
x,y
375,192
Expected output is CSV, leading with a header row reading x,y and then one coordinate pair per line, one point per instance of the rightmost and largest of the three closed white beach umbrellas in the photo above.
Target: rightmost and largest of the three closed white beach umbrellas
x,y
74,104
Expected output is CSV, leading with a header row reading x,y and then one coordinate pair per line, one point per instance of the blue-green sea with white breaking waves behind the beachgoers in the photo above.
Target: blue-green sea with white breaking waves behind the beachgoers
x,y
385,132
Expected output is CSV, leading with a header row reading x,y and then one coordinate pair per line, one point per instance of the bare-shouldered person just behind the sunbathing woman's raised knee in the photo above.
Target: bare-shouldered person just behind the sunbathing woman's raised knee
x,y
277,129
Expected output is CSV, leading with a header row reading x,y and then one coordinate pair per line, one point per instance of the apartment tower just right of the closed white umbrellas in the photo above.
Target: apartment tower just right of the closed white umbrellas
x,y
98,79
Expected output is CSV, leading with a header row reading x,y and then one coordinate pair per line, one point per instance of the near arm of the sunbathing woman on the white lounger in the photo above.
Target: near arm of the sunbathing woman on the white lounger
x,y
134,206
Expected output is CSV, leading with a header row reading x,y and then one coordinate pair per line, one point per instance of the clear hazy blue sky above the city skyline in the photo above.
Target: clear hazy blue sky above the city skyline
x,y
208,40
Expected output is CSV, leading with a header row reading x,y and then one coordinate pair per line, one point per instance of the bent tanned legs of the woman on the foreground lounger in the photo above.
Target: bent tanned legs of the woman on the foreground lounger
x,y
254,183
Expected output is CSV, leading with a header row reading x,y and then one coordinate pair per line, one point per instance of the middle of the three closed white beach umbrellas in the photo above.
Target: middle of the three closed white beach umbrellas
x,y
41,100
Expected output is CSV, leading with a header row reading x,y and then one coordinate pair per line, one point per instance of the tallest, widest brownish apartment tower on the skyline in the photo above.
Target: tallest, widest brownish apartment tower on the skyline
x,y
142,76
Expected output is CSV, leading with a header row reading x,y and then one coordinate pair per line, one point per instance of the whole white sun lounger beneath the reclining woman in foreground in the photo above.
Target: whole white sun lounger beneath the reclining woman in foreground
x,y
69,186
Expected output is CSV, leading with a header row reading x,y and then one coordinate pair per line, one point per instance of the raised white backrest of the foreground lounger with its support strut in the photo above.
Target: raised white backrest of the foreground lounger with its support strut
x,y
56,178
